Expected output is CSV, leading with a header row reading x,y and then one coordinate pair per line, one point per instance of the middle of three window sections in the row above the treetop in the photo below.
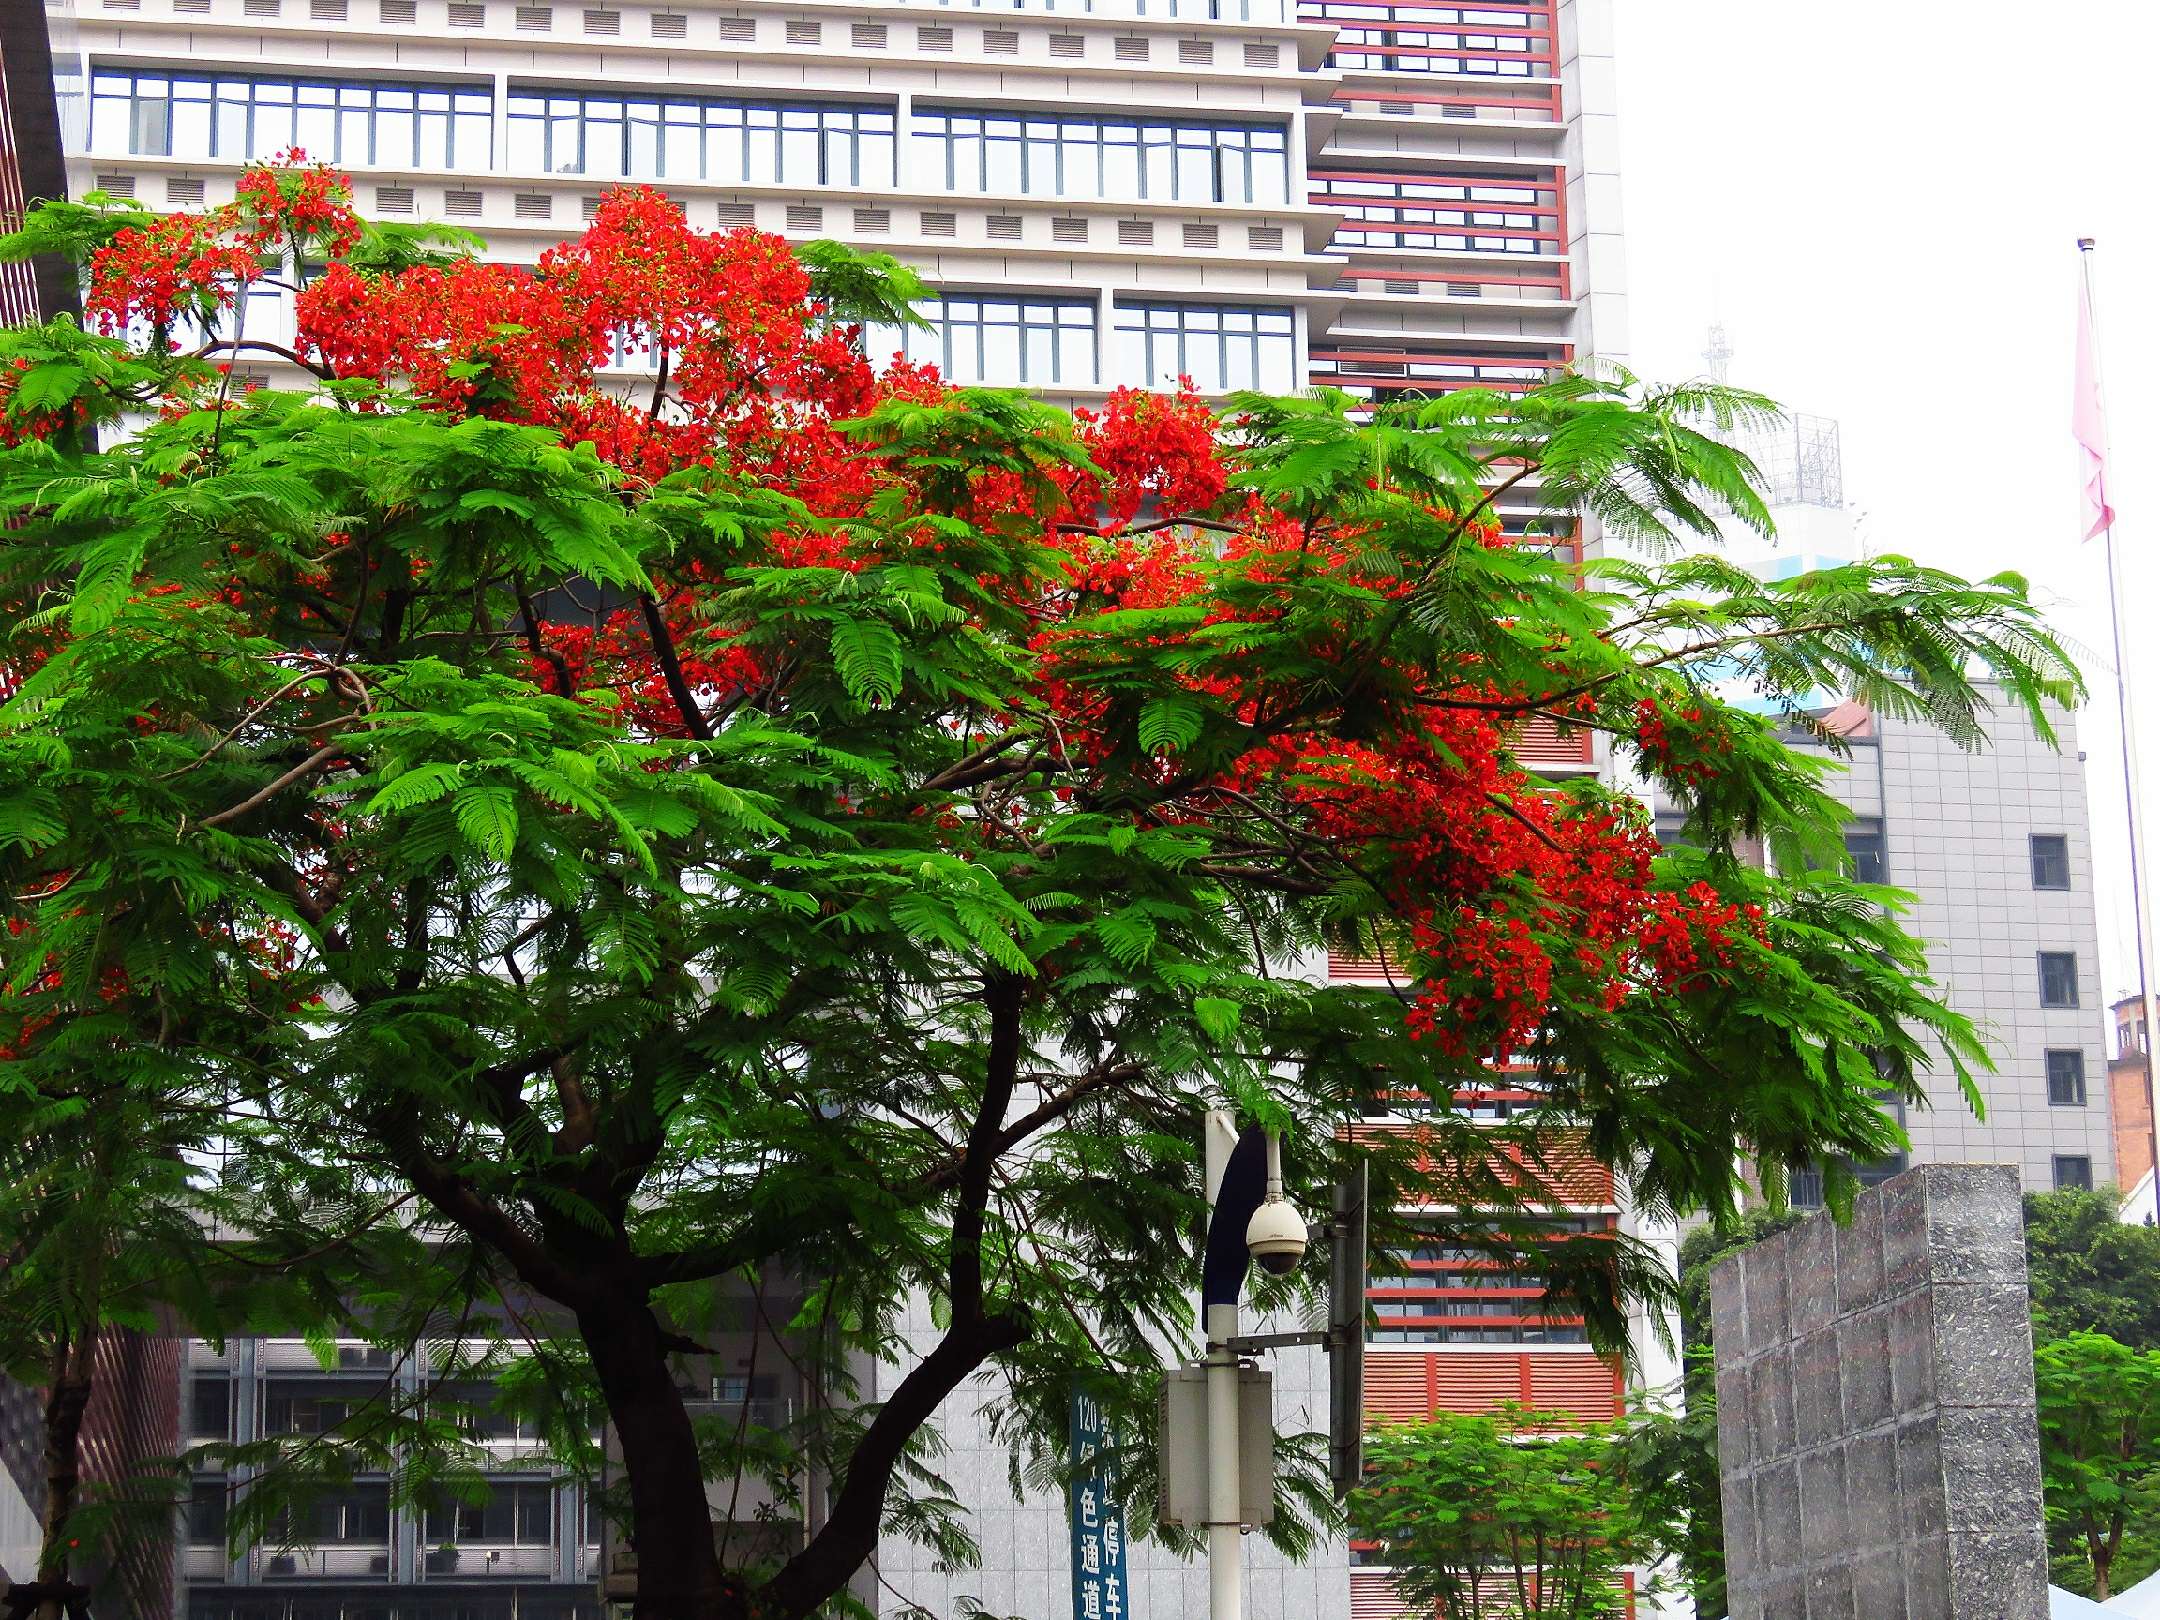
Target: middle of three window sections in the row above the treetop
x,y
610,137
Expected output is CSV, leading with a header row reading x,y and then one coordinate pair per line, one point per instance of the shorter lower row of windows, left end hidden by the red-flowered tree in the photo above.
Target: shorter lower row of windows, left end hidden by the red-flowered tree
x,y
1051,342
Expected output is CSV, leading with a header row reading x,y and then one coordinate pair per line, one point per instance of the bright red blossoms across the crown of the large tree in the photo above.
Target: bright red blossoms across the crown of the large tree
x,y
673,349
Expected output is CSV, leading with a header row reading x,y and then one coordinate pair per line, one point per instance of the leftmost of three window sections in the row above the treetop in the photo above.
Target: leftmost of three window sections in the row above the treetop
x,y
241,120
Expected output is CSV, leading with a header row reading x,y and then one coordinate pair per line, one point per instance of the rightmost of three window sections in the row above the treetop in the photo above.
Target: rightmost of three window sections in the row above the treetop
x,y
1118,161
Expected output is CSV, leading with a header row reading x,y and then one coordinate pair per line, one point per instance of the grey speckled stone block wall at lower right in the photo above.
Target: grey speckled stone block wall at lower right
x,y
1876,1420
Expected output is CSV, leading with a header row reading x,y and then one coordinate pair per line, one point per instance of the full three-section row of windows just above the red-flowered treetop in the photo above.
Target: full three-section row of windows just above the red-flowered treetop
x,y
684,137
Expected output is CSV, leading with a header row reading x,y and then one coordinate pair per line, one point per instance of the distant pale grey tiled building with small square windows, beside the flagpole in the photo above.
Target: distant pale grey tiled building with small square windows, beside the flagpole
x,y
1993,841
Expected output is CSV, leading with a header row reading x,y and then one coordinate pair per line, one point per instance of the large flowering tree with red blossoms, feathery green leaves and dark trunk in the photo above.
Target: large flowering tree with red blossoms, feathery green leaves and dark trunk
x,y
617,796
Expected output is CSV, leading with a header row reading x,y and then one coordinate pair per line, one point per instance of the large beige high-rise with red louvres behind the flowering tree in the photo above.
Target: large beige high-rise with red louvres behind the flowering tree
x,y
1396,198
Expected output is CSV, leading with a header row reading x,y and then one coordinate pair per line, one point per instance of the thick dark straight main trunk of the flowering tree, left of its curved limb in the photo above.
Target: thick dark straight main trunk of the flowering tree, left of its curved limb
x,y
679,1574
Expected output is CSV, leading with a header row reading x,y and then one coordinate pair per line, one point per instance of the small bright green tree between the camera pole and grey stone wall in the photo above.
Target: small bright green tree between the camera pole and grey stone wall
x,y
1520,1513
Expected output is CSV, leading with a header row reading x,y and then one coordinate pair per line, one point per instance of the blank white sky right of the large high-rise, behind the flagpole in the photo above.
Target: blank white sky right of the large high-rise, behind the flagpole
x,y
1882,204
